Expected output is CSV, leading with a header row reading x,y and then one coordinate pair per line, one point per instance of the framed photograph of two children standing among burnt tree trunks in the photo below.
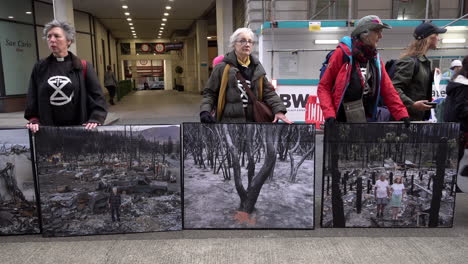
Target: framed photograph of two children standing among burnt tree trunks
x,y
387,175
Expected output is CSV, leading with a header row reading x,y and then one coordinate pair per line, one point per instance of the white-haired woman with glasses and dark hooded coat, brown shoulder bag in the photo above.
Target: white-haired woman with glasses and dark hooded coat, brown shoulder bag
x,y
234,105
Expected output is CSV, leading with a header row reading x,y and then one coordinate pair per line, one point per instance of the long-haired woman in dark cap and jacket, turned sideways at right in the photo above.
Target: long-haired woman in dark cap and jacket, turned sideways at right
x,y
413,76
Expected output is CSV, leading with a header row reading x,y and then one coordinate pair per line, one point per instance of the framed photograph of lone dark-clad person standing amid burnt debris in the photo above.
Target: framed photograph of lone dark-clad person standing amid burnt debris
x,y
112,179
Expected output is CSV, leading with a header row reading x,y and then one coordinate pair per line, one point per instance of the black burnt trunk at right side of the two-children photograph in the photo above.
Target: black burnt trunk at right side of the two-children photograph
x,y
438,183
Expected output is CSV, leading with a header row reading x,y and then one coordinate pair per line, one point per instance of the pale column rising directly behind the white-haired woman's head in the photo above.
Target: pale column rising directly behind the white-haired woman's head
x,y
224,25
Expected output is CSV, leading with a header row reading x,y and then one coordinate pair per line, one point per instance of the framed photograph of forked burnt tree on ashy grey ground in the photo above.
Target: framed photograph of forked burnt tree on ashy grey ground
x,y
247,176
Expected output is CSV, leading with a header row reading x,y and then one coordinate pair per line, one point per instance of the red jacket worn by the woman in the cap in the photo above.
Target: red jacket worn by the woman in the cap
x,y
335,81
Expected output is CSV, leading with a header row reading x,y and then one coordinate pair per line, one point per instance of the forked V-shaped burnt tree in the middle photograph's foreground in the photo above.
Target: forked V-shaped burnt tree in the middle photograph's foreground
x,y
249,196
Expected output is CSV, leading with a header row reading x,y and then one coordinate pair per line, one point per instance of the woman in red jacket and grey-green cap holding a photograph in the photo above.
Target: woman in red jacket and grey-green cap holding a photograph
x,y
356,80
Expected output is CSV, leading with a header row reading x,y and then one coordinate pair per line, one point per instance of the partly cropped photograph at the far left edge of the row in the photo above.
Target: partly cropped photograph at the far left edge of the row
x,y
18,203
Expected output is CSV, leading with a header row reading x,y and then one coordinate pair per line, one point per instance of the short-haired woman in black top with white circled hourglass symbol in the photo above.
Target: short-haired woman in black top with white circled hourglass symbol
x,y
64,90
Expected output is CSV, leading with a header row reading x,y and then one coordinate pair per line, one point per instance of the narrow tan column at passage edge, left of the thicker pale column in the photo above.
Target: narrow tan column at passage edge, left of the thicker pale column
x,y
202,52
